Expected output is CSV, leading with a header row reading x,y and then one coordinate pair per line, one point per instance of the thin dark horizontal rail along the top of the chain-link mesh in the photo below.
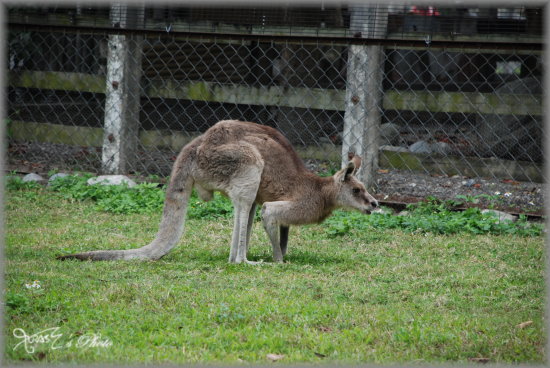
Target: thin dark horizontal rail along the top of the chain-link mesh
x,y
434,42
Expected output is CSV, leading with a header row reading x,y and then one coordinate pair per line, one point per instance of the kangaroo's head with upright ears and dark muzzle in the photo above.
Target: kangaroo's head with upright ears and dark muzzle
x,y
351,192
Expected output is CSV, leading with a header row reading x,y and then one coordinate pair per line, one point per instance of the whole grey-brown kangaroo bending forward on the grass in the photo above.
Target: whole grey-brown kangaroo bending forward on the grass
x,y
253,165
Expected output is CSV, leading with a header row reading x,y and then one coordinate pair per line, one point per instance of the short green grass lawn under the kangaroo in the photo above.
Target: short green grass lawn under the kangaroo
x,y
371,296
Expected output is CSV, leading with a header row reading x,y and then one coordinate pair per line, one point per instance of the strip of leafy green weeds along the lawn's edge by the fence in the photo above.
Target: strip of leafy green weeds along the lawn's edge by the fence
x,y
433,215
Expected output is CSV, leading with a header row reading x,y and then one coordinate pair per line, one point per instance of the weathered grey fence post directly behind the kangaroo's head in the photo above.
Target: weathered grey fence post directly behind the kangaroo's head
x,y
364,90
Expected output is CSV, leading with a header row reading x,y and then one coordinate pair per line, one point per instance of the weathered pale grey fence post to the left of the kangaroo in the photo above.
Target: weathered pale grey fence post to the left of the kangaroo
x,y
122,93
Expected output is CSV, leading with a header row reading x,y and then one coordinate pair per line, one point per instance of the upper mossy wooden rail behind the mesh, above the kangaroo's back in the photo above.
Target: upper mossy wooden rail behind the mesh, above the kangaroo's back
x,y
316,98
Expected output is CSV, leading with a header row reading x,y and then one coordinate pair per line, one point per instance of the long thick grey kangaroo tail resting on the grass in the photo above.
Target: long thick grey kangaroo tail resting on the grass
x,y
173,216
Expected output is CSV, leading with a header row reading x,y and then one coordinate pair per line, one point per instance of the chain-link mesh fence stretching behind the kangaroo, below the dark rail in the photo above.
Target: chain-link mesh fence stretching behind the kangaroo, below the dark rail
x,y
96,101
